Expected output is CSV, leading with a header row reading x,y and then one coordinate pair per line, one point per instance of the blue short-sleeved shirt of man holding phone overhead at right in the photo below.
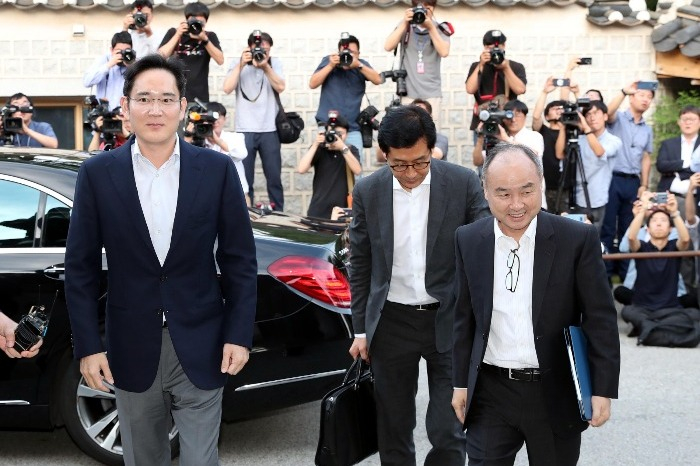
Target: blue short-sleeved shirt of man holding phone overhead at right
x,y
637,138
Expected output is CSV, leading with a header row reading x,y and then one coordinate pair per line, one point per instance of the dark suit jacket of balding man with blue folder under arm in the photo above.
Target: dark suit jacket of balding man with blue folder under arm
x,y
569,288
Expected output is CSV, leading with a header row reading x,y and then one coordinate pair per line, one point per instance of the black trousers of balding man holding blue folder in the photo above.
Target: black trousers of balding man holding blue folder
x,y
503,415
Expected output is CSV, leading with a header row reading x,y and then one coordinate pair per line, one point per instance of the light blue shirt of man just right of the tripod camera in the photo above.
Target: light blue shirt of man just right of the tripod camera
x,y
598,170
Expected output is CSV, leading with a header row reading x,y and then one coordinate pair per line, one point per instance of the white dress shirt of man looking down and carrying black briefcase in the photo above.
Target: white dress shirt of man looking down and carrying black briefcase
x,y
411,208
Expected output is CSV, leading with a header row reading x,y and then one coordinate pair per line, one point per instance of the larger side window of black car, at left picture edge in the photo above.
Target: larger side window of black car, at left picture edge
x,y
18,206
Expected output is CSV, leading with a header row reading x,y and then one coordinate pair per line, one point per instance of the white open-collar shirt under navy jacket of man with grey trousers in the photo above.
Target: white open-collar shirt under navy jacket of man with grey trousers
x,y
158,190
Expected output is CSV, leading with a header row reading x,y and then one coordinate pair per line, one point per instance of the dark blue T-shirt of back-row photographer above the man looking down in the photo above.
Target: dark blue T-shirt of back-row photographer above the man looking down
x,y
342,90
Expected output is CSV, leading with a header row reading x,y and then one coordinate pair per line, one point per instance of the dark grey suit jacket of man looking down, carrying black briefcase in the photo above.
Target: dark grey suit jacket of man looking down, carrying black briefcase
x,y
456,198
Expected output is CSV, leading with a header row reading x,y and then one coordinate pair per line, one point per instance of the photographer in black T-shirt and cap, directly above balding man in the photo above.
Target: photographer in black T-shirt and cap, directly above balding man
x,y
494,74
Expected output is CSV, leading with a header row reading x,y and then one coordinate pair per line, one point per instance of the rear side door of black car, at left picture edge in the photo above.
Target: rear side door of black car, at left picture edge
x,y
33,230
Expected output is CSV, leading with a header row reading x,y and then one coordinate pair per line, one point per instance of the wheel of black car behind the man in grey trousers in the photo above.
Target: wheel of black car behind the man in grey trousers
x,y
92,421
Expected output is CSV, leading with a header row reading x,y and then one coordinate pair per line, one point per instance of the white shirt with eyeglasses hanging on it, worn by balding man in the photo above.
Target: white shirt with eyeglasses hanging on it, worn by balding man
x,y
511,341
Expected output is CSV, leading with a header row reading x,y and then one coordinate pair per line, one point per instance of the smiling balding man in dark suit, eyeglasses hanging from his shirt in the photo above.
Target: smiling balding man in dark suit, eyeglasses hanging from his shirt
x,y
522,277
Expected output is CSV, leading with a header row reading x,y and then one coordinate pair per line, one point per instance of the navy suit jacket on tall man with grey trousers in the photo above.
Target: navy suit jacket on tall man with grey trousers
x,y
202,313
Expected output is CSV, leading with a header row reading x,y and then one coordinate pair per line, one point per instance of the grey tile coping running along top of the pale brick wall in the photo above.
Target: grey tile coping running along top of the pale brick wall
x,y
600,12
